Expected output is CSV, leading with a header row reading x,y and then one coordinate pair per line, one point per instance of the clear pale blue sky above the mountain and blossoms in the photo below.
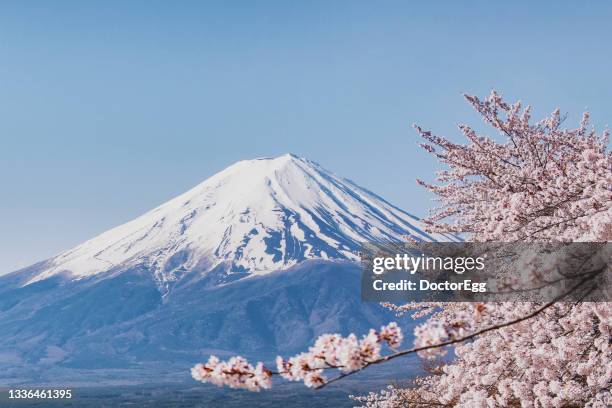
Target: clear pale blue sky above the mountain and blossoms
x,y
108,109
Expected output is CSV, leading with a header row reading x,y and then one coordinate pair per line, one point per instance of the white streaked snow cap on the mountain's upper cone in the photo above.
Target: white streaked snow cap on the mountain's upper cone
x,y
255,217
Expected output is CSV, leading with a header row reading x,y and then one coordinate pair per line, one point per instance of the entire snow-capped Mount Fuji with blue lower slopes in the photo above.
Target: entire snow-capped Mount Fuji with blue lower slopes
x,y
260,257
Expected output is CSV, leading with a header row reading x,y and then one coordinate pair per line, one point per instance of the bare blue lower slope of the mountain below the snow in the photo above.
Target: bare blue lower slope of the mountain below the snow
x,y
121,329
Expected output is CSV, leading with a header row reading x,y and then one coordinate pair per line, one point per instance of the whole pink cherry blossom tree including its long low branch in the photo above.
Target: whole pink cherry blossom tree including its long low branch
x,y
541,182
